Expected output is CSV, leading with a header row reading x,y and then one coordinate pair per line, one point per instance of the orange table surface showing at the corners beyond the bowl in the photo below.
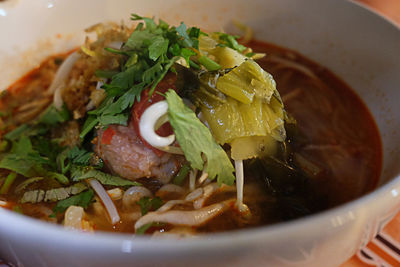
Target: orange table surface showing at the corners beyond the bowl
x,y
384,250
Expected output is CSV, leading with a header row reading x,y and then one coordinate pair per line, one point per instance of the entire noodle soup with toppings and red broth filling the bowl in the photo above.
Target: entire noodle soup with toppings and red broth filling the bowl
x,y
155,129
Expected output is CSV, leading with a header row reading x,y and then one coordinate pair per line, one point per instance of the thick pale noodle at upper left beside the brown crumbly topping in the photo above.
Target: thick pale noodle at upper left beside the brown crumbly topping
x,y
60,78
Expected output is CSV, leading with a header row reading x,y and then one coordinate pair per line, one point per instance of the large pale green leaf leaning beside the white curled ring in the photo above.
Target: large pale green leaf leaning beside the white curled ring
x,y
196,140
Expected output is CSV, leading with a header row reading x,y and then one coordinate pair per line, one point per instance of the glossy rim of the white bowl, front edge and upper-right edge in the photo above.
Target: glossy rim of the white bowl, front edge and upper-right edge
x,y
35,229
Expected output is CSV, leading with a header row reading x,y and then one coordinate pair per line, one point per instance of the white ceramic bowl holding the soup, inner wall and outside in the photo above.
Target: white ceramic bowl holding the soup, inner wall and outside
x,y
358,45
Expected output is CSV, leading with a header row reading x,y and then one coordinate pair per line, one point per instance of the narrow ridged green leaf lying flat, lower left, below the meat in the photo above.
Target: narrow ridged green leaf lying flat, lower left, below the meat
x,y
80,173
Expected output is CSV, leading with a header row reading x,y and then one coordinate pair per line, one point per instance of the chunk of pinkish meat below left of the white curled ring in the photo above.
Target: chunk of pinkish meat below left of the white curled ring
x,y
127,156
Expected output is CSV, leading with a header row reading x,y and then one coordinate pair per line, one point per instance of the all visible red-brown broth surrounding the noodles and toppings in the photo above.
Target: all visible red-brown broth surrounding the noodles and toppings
x,y
336,139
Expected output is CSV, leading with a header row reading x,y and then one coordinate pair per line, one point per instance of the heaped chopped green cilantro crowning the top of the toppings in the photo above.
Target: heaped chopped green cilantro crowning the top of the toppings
x,y
148,55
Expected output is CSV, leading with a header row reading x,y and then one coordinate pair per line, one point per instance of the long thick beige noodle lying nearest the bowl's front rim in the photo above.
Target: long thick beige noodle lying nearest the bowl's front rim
x,y
186,218
